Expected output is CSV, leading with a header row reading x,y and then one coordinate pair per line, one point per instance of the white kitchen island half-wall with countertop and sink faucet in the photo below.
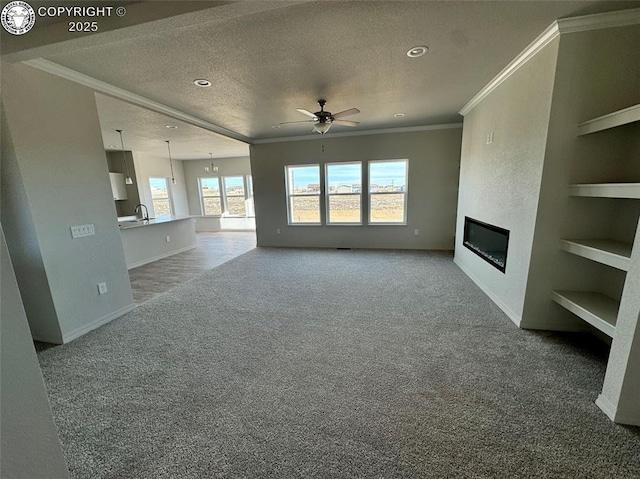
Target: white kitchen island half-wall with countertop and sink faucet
x,y
145,241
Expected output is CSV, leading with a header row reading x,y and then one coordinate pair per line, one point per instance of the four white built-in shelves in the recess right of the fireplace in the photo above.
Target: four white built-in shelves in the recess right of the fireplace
x,y
595,308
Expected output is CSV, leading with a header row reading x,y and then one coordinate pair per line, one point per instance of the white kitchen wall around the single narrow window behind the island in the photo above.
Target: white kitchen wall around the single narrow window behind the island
x,y
149,166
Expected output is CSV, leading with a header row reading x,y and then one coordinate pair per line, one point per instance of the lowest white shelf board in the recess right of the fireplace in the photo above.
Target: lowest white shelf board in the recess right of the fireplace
x,y
598,310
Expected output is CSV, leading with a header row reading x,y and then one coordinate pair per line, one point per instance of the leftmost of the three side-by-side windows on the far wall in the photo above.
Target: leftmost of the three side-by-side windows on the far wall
x,y
303,194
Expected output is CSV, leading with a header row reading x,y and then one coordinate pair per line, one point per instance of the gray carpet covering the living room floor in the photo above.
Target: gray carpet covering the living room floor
x,y
317,363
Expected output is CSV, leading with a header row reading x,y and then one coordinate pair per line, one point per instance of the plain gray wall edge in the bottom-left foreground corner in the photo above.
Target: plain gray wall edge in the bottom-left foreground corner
x,y
30,444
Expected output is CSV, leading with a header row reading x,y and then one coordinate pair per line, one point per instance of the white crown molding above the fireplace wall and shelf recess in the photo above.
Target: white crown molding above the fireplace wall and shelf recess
x,y
597,21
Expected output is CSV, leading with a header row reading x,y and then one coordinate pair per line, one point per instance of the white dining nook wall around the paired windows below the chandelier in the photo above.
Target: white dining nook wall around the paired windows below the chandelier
x,y
195,169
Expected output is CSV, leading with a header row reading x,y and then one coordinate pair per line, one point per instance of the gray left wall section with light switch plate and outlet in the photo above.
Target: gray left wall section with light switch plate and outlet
x,y
59,154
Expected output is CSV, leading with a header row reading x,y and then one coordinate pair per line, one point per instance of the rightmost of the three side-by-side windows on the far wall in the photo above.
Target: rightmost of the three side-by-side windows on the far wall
x,y
388,192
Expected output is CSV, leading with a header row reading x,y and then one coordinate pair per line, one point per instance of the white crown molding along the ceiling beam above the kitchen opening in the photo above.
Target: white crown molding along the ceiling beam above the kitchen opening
x,y
124,95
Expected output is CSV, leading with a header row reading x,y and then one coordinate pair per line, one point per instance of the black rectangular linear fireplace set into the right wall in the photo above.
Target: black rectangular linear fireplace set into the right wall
x,y
487,241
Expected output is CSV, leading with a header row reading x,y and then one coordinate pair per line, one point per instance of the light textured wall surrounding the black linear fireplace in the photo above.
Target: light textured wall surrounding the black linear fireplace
x,y
500,181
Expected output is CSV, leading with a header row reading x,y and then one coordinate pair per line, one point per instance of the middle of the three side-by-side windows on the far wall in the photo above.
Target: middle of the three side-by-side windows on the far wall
x,y
344,193
